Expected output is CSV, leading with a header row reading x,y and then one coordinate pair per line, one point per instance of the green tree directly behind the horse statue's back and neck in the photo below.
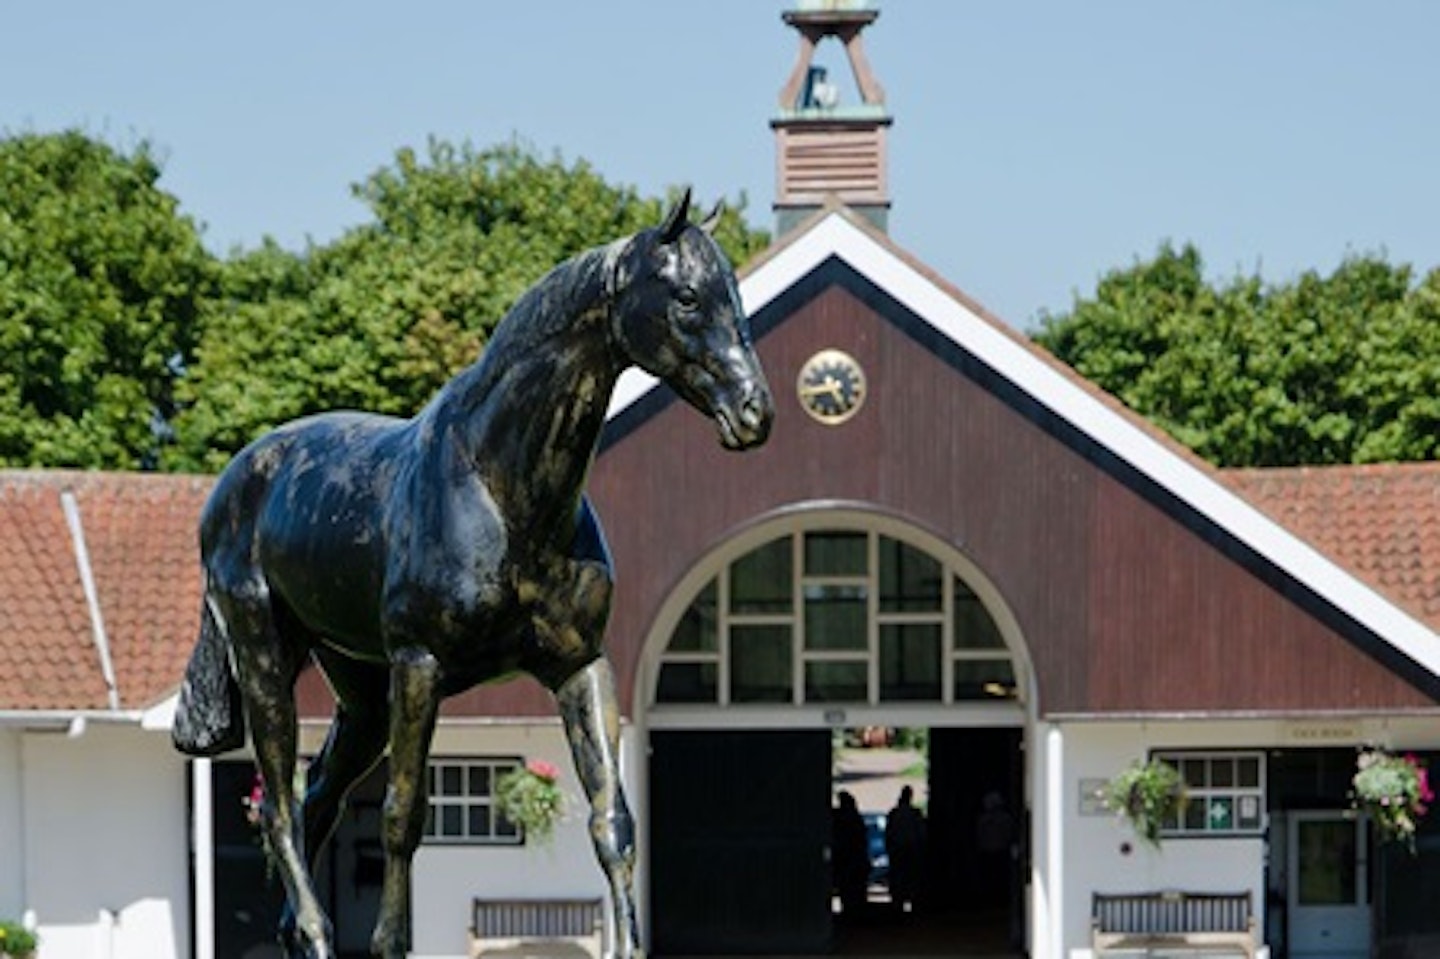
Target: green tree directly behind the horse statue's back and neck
x,y
384,316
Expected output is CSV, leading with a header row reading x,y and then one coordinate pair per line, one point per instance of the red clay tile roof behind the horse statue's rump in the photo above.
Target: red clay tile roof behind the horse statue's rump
x,y
140,533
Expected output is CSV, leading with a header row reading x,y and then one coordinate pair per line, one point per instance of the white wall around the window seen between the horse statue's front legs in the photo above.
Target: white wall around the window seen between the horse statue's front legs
x,y
449,878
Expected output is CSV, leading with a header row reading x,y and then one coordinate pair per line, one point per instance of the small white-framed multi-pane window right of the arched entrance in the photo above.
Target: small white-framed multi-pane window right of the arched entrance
x,y
1225,794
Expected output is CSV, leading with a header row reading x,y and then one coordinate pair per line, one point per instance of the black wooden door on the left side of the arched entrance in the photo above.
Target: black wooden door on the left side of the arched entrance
x,y
738,843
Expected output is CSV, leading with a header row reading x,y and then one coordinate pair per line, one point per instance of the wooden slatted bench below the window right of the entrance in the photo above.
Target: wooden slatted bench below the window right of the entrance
x,y
1173,921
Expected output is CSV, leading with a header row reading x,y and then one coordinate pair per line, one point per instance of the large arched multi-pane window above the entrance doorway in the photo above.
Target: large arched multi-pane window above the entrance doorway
x,y
836,617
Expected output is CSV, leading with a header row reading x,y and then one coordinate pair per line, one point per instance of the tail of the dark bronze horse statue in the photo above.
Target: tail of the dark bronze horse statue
x,y
211,718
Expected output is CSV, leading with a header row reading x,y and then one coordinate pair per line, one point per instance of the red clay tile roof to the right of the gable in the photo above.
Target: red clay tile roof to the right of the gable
x,y
1379,522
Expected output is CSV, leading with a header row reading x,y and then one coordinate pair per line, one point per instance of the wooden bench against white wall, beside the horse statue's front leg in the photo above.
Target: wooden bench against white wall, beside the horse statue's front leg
x,y
538,928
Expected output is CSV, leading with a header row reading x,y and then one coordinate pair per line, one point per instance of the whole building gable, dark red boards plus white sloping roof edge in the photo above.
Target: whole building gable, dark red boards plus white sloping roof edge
x,y
1114,546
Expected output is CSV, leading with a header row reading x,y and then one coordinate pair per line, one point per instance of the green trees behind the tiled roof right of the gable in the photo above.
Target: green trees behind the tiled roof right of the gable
x,y
1318,371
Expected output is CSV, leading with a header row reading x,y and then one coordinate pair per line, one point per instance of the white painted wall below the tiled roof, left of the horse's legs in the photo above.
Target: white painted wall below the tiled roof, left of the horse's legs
x,y
106,845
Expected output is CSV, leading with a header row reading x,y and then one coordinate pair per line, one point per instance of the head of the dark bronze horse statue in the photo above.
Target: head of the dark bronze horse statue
x,y
678,316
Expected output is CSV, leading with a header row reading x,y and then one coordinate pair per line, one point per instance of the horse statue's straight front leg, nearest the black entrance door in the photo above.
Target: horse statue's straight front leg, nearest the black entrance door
x,y
594,729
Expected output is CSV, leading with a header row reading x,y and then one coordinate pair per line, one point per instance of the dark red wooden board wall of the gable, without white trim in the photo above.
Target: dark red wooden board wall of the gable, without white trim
x,y
1124,597
